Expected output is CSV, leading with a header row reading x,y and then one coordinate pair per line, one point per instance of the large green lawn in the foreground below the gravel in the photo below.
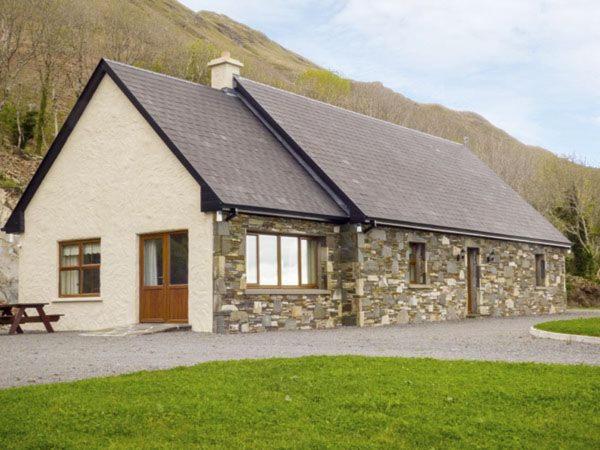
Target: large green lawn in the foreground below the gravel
x,y
314,402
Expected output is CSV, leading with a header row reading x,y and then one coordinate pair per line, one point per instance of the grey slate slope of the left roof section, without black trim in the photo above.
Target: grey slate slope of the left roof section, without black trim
x,y
231,150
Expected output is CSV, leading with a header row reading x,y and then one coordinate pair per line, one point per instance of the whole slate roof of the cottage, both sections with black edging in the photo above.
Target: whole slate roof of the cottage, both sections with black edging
x,y
264,150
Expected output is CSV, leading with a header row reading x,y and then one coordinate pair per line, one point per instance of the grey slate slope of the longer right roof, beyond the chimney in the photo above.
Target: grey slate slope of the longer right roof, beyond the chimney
x,y
399,174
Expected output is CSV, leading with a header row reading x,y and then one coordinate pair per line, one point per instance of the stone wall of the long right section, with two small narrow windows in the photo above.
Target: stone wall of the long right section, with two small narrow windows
x,y
507,284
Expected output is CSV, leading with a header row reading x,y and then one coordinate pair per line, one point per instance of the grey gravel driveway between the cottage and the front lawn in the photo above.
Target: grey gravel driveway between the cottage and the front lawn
x,y
44,358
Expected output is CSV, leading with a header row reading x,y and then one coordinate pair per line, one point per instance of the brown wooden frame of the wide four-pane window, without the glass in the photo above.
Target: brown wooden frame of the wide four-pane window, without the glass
x,y
300,238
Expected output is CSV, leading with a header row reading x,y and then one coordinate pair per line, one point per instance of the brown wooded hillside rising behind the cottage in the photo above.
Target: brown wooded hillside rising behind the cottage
x,y
60,43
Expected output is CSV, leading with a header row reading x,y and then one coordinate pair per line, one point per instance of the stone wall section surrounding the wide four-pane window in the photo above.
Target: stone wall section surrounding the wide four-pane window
x,y
239,310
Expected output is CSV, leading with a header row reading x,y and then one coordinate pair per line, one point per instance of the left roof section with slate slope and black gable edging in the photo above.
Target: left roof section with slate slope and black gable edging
x,y
236,161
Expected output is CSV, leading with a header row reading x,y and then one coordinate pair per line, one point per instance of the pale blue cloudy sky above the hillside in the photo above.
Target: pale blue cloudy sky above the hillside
x,y
531,67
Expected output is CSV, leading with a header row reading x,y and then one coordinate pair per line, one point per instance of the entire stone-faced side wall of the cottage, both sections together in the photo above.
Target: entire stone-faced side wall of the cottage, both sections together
x,y
363,278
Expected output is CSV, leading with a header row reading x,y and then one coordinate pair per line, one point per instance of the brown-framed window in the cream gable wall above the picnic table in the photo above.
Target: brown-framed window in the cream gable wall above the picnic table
x,y
79,263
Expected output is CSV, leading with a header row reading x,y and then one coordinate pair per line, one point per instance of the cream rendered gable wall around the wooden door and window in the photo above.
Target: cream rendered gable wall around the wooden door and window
x,y
114,179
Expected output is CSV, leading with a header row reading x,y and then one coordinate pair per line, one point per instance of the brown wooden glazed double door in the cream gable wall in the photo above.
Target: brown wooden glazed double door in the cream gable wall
x,y
164,277
